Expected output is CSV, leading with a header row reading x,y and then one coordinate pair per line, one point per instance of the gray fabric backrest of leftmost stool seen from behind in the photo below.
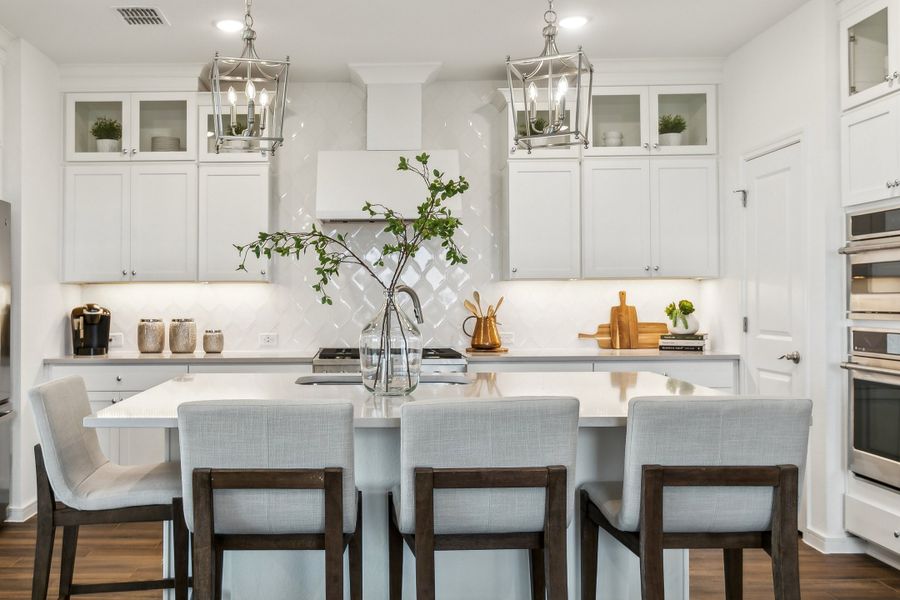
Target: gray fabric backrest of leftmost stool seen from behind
x,y
267,435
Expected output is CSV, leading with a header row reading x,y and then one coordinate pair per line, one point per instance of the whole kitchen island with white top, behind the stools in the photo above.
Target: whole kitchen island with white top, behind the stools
x,y
488,575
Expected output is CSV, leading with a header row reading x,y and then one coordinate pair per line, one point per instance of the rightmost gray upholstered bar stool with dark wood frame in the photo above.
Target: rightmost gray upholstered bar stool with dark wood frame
x,y
720,473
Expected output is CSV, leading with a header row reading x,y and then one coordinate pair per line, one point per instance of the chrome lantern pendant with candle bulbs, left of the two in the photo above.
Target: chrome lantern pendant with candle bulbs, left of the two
x,y
265,74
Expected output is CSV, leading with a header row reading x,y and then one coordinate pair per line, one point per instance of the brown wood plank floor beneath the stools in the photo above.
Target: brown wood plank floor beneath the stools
x,y
134,552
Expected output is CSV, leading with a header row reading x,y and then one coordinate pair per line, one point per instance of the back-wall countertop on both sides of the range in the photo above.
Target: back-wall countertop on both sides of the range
x,y
304,357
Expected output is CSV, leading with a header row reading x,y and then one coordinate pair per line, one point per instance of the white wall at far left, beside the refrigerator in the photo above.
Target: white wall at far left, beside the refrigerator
x,y
32,183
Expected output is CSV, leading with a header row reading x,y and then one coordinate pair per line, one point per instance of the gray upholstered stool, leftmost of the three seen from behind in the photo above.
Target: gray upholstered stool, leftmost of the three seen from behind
x,y
270,476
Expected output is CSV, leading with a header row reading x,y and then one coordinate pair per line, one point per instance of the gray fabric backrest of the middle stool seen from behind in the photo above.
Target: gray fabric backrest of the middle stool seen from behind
x,y
510,432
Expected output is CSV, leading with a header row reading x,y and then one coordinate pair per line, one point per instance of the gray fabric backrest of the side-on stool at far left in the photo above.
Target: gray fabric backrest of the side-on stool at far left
x,y
71,451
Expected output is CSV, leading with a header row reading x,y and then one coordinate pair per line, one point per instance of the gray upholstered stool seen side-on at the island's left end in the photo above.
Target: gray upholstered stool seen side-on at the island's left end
x,y
77,485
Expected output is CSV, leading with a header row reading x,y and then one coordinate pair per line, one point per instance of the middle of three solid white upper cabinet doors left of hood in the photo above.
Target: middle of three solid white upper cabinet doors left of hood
x,y
164,223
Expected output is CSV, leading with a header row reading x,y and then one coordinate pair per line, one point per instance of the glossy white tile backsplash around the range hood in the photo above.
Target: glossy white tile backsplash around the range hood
x,y
331,116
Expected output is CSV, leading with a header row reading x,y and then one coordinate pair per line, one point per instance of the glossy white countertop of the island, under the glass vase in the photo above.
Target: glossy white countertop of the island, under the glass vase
x,y
604,396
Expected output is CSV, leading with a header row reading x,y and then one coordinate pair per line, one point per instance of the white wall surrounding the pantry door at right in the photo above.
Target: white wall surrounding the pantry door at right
x,y
781,83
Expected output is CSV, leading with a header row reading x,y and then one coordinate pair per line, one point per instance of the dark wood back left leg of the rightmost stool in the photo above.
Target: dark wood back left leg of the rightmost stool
x,y
651,535
